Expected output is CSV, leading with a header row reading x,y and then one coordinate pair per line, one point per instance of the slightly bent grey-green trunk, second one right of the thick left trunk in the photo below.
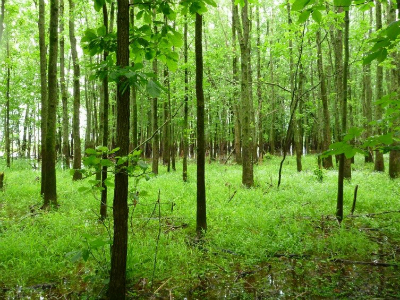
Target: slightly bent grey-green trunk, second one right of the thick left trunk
x,y
77,94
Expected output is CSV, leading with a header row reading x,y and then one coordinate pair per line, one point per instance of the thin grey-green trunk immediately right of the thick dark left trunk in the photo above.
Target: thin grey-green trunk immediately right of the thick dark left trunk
x,y
64,95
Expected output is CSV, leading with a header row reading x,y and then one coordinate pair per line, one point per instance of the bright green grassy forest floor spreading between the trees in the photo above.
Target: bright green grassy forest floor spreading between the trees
x,y
261,243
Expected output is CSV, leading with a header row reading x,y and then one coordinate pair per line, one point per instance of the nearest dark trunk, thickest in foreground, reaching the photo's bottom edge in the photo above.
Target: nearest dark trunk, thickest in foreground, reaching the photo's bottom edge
x,y
120,207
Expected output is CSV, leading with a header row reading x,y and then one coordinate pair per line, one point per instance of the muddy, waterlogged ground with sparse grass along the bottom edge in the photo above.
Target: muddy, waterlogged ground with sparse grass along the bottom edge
x,y
281,278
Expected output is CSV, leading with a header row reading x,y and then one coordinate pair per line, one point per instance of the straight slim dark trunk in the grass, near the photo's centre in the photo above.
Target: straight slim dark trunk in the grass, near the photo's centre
x,y
201,219
